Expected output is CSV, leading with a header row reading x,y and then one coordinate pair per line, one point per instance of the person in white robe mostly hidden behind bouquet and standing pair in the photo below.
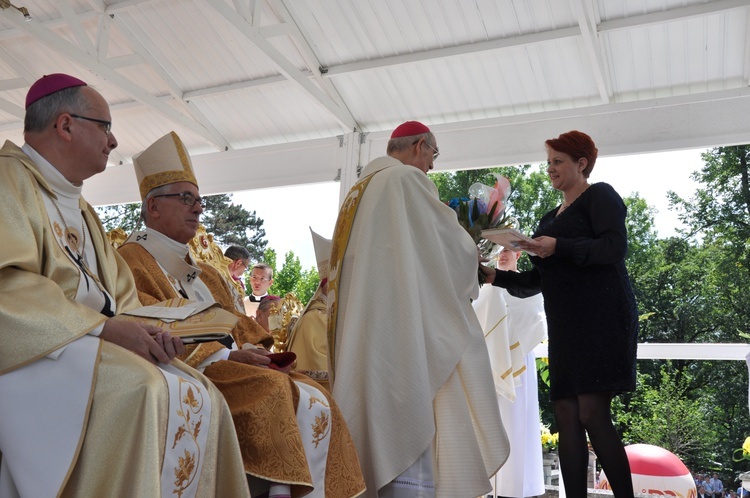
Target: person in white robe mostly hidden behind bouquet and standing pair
x,y
513,326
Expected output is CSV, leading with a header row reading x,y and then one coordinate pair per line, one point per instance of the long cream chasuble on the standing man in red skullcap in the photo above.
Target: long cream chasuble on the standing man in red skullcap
x,y
405,346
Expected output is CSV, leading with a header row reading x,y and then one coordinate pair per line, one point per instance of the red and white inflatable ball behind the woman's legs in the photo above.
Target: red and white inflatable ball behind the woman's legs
x,y
656,471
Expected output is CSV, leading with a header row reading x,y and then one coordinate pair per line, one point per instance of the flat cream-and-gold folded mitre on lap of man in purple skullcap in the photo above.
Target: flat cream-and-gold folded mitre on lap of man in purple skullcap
x,y
193,322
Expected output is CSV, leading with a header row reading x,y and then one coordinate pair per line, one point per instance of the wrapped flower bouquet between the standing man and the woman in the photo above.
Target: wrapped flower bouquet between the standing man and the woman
x,y
484,209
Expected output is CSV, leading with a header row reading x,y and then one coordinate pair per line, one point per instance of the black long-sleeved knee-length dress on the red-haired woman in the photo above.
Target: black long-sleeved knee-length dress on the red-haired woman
x,y
591,311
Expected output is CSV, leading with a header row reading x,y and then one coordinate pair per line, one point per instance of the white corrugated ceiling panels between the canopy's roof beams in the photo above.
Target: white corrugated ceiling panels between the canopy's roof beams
x,y
202,53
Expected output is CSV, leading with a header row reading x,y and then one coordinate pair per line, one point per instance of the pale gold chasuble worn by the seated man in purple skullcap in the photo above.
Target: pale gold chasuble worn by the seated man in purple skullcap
x,y
38,316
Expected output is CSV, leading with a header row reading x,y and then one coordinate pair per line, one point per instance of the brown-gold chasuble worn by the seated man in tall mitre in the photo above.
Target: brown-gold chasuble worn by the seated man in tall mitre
x,y
264,403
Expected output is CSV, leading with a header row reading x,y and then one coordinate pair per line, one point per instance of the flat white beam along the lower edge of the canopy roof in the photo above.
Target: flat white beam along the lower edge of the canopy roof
x,y
674,123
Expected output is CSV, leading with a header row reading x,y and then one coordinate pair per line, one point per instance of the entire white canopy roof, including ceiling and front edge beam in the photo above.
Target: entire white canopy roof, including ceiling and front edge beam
x,y
281,92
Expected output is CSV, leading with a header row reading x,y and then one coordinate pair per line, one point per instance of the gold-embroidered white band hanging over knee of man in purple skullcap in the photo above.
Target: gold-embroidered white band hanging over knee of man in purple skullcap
x,y
190,407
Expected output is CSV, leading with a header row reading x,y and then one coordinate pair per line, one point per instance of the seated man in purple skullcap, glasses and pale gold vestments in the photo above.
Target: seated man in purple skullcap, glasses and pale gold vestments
x,y
90,403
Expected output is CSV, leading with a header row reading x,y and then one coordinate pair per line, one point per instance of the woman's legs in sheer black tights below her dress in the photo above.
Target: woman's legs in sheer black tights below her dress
x,y
577,416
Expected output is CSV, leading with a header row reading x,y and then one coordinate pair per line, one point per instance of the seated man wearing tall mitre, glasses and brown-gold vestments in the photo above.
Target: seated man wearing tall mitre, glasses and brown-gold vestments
x,y
290,430
